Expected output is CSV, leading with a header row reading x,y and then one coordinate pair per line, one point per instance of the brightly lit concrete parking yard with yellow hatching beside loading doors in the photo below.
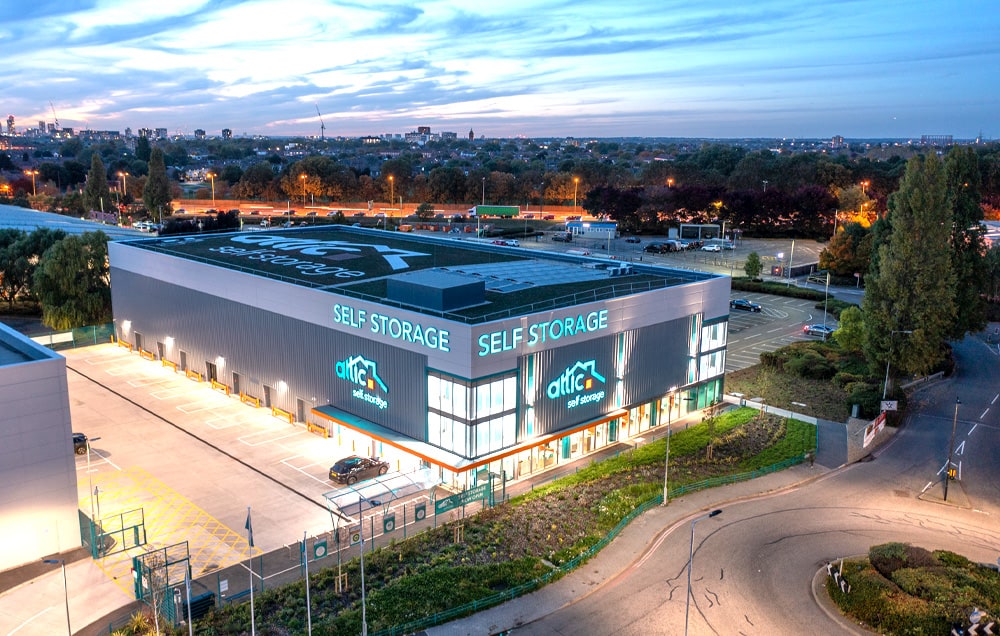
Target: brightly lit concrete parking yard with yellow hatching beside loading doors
x,y
192,459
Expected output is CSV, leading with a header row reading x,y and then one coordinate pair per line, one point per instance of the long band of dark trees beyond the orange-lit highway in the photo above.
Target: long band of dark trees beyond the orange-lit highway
x,y
643,187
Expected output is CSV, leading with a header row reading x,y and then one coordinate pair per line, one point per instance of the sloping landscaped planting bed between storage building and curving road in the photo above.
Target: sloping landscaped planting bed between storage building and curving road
x,y
516,543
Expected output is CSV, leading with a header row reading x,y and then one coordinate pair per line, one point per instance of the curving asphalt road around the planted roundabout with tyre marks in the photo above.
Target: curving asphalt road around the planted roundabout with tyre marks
x,y
755,562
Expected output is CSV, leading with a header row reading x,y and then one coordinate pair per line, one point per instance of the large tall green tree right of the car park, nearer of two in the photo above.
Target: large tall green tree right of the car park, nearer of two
x,y
911,285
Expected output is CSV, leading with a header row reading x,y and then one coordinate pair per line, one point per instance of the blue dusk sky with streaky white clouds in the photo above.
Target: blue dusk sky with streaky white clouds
x,y
647,68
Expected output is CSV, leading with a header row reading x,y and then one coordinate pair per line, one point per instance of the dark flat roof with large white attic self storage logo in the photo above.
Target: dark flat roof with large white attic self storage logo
x,y
359,262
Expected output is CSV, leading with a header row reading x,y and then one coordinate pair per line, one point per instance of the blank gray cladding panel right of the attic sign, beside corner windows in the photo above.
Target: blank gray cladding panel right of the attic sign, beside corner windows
x,y
656,358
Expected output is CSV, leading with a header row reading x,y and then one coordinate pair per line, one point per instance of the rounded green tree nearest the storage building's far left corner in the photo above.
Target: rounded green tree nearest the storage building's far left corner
x,y
72,282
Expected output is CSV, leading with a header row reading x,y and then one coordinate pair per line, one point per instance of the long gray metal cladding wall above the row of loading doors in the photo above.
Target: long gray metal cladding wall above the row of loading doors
x,y
264,347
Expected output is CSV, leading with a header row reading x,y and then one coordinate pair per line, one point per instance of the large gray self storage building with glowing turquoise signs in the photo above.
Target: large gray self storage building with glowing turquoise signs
x,y
447,353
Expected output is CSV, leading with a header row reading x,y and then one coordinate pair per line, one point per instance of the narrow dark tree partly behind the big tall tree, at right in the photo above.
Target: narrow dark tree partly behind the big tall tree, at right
x,y
962,174
